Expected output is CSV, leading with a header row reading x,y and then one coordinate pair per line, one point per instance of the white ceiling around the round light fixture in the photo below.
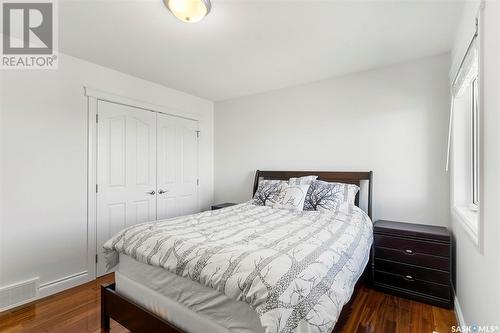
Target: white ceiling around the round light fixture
x,y
246,47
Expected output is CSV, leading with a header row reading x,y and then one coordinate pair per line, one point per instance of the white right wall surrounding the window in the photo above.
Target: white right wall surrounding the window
x,y
478,287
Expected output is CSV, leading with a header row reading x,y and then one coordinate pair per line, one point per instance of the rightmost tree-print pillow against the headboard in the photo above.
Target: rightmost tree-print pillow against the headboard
x,y
324,196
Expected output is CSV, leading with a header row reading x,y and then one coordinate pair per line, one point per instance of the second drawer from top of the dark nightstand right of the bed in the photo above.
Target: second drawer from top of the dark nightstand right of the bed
x,y
418,259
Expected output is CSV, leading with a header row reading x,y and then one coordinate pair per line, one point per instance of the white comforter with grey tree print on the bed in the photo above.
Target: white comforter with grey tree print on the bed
x,y
296,269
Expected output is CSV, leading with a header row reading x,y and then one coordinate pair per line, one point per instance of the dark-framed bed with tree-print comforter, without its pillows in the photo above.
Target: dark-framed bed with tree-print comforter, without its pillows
x,y
245,268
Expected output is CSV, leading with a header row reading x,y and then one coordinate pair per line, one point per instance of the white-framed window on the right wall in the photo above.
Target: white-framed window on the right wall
x,y
465,142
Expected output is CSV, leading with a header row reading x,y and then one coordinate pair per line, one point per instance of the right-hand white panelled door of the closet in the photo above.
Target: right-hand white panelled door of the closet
x,y
177,169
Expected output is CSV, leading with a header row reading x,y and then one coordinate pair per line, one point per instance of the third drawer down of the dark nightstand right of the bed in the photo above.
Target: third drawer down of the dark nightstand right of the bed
x,y
413,272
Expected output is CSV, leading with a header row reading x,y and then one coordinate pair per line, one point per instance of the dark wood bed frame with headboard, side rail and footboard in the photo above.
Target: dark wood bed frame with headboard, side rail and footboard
x,y
140,320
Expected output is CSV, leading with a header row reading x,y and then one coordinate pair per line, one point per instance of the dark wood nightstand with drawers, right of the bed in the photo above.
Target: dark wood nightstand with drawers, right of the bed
x,y
413,261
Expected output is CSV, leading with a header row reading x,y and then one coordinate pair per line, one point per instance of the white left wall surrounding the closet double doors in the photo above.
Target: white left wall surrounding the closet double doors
x,y
44,164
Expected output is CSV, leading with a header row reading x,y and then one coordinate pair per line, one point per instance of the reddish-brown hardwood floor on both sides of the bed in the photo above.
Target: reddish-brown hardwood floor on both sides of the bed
x,y
77,311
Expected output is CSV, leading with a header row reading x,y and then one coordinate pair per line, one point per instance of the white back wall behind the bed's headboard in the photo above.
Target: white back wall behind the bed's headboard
x,y
392,121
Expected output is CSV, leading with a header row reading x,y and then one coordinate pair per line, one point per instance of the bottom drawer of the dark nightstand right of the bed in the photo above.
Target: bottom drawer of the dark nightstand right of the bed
x,y
402,282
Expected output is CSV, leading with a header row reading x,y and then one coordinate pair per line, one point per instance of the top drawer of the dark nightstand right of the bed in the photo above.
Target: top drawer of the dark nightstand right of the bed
x,y
412,247
